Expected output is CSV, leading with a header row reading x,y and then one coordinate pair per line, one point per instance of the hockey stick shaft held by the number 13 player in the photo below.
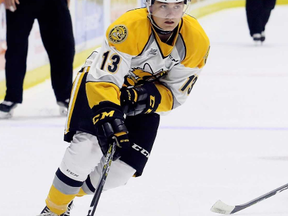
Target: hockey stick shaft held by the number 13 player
x,y
105,171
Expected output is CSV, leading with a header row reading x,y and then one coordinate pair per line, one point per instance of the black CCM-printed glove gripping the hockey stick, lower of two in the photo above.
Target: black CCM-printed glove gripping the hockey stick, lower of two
x,y
109,122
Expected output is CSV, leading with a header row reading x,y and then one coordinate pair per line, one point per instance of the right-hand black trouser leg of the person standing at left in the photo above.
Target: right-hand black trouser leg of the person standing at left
x,y
57,35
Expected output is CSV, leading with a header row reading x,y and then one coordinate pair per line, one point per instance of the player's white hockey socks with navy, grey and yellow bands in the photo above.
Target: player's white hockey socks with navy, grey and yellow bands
x,y
77,174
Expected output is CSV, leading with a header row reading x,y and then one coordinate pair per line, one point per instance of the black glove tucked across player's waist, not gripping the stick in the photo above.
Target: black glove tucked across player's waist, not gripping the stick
x,y
143,99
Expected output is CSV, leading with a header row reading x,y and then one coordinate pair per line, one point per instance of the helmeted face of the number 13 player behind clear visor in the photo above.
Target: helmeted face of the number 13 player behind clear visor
x,y
167,15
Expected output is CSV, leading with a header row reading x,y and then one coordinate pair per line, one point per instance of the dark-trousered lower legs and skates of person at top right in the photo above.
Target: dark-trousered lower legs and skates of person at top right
x,y
258,13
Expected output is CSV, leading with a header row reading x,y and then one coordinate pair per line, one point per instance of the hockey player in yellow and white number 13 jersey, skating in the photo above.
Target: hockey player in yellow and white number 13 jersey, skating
x,y
148,64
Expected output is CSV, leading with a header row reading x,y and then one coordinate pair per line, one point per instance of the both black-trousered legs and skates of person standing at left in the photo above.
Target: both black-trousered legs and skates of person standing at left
x,y
57,35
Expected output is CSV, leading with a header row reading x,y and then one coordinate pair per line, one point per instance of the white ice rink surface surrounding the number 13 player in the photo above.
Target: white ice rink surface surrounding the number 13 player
x,y
229,141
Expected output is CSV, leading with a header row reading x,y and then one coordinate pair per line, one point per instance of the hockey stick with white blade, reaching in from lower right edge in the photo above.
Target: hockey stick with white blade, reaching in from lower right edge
x,y
222,208
